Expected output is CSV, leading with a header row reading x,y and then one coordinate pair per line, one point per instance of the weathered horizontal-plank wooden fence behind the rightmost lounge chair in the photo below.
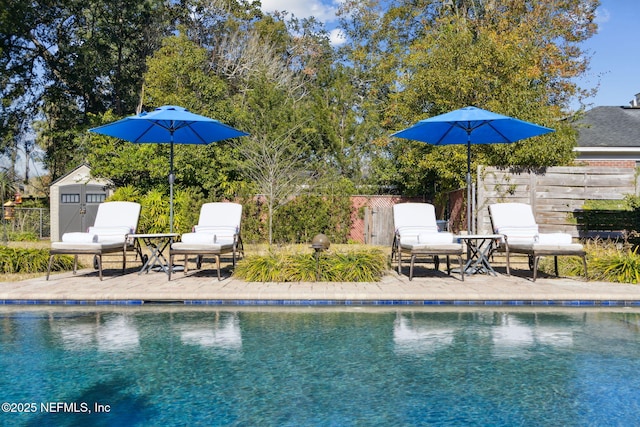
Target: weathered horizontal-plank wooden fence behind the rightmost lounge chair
x,y
556,195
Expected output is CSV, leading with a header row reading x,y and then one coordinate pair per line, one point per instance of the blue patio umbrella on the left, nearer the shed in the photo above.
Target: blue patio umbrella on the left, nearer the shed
x,y
169,124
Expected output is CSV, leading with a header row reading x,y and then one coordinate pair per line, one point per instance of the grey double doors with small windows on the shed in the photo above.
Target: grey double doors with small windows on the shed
x,y
79,206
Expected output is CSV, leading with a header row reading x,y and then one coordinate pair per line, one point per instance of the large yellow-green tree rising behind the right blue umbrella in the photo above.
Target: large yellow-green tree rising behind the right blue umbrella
x,y
517,58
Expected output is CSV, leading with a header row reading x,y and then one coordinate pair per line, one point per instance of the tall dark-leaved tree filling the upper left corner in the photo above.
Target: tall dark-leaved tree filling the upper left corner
x,y
64,60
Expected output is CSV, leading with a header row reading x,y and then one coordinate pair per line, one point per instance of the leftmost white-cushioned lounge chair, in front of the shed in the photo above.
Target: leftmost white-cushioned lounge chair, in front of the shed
x,y
109,234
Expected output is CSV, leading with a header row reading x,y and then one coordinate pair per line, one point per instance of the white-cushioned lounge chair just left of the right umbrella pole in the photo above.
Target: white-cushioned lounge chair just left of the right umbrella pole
x,y
416,234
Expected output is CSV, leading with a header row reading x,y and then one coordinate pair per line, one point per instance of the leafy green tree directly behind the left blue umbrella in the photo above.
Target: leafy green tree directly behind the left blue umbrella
x,y
178,73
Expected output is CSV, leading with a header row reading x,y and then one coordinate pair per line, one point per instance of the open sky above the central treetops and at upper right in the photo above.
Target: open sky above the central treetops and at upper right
x,y
614,50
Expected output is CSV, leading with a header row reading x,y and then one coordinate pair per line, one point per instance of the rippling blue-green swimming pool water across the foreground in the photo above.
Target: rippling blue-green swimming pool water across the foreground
x,y
308,367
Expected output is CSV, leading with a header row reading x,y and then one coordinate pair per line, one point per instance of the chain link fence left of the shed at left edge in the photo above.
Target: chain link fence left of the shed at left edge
x,y
16,221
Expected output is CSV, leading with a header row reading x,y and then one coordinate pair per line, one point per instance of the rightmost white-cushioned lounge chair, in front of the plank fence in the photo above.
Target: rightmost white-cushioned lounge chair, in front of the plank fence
x,y
515,221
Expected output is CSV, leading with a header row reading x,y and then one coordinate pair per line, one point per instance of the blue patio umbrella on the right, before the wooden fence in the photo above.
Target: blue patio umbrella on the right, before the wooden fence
x,y
471,125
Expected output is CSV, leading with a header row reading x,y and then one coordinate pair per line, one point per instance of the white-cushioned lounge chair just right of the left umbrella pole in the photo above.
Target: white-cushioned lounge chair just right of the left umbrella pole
x,y
217,233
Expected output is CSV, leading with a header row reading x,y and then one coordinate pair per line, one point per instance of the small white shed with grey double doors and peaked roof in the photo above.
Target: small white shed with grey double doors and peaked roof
x,y
74,200
